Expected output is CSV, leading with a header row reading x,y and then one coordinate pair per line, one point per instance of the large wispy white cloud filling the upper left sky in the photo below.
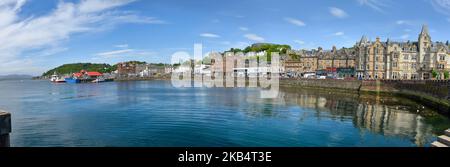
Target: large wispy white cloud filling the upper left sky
x,y
21,34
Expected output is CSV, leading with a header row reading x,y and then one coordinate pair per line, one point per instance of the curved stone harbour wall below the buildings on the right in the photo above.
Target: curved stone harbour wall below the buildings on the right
x,y
431,93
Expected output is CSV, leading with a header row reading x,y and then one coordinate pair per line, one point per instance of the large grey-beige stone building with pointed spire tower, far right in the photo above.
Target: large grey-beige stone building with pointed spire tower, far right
x,y
402,60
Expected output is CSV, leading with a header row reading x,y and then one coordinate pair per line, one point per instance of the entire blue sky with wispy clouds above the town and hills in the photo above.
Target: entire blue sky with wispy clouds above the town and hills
x,y
39,35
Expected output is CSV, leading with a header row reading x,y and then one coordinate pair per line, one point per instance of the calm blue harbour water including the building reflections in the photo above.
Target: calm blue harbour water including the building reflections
x,y
153,113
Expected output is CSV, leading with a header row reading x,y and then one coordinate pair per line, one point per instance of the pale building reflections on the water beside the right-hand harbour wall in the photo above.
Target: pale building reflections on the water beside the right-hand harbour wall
x,y
388,121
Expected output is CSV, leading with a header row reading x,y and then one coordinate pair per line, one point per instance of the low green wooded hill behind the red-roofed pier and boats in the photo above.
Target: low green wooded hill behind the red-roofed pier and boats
x,y
76,67
